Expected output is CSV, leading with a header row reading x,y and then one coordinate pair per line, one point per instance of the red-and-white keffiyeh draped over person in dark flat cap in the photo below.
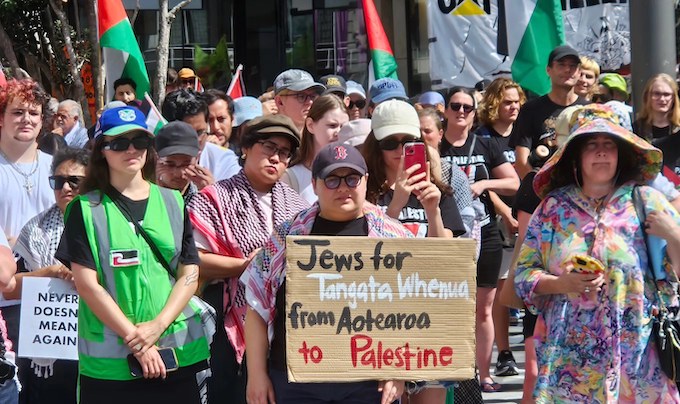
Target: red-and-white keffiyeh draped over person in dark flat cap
x,y
228,214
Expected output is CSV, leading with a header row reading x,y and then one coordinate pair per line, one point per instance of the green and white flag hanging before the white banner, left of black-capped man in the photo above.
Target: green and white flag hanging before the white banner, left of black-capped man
x,y
536,29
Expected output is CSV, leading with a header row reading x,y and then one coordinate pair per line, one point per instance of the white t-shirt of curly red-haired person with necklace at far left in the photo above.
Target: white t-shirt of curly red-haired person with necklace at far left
x,y
17,205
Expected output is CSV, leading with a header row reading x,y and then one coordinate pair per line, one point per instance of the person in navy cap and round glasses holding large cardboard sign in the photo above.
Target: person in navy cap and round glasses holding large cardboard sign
x,y
339,176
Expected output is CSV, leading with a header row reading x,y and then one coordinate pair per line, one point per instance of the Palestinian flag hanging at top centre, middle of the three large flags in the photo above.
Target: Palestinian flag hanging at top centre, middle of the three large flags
x,y
382,59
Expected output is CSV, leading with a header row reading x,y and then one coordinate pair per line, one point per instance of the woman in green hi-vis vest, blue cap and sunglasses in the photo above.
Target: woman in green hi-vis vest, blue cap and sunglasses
x,y
130,246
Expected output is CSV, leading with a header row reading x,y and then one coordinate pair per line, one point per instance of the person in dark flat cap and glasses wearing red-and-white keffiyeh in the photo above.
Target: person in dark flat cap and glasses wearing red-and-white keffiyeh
x,y
232,220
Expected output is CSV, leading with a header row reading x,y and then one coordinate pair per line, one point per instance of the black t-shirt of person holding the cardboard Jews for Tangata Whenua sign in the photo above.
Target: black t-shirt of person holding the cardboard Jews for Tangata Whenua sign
x,y
321,227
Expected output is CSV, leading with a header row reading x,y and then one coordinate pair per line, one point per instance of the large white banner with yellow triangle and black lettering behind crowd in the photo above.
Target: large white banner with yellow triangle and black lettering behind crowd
x,y
469,40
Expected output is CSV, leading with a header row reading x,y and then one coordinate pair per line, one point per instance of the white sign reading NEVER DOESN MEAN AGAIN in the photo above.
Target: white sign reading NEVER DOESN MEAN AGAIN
x,y
49,319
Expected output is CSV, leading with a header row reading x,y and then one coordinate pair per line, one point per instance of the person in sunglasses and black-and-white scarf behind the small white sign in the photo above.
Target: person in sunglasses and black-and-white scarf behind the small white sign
x,y
49,379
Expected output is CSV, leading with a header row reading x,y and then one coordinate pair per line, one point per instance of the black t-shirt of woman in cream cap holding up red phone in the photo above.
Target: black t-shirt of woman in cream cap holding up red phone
x,y
412,215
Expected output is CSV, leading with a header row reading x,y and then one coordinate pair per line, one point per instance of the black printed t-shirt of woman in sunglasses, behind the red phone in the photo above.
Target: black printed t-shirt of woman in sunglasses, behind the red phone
x,y
486,156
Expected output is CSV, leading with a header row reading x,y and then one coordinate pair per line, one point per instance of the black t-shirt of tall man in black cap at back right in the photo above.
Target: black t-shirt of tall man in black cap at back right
x,y
536,122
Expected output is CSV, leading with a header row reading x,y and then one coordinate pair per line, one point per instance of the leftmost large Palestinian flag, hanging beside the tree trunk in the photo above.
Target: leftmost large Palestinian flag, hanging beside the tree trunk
x,y
122,56
